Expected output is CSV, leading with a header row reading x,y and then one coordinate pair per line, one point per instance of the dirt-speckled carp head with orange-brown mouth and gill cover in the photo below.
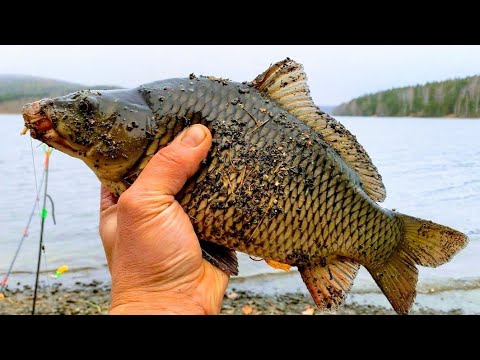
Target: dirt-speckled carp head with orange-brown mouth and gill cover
x,y
109,130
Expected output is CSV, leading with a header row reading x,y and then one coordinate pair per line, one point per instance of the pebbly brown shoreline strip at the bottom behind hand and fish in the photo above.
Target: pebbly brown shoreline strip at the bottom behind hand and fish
x,y
93,298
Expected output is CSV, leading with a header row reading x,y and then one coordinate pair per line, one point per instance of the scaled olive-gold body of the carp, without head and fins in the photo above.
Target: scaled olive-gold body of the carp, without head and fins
x,y
254,231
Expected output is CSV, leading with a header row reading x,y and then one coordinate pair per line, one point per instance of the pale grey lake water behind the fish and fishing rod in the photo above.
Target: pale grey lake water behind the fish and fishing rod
x,y
430,167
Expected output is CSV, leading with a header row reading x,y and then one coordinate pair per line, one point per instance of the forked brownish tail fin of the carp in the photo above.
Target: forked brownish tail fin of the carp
x,y
425,243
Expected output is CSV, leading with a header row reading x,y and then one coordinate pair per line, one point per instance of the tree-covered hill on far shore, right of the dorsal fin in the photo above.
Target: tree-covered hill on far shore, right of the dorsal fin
x,y
452,98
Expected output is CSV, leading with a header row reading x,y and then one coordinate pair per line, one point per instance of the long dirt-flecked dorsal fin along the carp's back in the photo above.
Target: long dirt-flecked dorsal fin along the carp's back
x,y
286,83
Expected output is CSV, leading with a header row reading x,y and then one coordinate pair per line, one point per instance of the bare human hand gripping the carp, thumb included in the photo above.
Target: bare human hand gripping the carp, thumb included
x,y
152,251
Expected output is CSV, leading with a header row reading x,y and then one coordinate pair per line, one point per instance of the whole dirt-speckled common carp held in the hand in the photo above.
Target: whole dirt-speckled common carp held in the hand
x,y
283,180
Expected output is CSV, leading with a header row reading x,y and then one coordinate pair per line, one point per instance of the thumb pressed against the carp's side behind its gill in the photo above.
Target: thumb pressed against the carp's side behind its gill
x,y
169,169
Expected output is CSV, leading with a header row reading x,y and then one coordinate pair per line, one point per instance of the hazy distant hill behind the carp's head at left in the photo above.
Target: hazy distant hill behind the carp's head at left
x,y
17,90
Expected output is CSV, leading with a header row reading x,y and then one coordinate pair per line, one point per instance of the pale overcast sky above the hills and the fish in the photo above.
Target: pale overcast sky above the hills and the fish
x,y
336,73
